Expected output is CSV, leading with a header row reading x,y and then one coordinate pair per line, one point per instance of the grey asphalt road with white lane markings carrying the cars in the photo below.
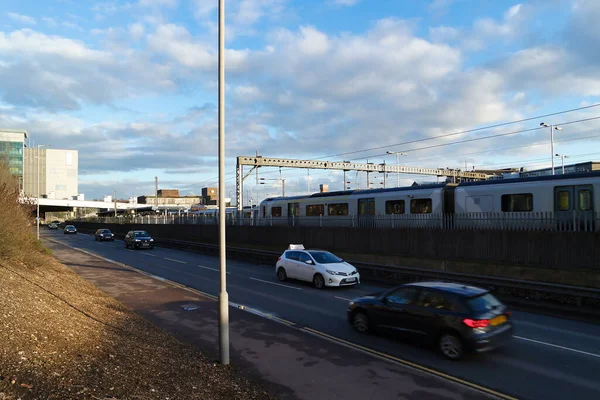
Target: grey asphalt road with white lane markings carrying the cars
x,y
550,358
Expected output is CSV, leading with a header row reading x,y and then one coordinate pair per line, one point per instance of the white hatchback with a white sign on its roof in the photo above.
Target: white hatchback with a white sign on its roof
x,y
320,267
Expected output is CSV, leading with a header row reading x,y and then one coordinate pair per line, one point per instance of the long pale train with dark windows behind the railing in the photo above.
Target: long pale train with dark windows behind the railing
x,y
565,197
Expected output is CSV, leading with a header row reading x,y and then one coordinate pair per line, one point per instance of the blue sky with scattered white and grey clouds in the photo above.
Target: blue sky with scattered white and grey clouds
x,y
132,85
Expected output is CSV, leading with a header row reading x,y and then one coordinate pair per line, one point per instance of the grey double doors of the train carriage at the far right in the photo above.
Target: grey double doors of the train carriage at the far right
x,y
574,207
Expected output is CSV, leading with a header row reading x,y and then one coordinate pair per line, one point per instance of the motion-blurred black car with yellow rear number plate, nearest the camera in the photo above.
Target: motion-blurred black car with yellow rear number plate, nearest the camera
x,y
459,318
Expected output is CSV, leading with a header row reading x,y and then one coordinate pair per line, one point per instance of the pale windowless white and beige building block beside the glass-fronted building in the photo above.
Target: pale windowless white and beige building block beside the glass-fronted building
x,y
51,173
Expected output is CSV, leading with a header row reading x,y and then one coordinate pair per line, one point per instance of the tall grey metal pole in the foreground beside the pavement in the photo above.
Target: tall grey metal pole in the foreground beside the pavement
x,y
223,296
